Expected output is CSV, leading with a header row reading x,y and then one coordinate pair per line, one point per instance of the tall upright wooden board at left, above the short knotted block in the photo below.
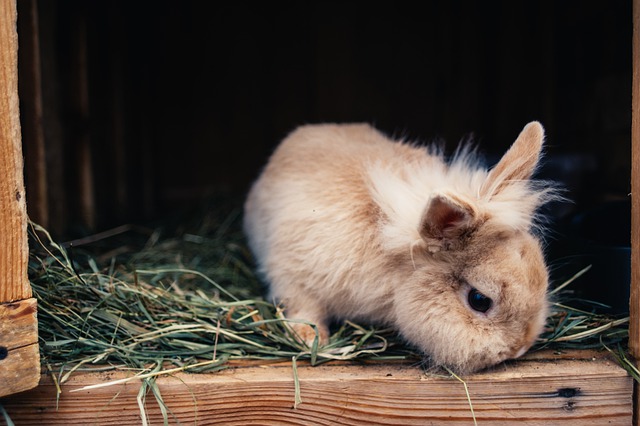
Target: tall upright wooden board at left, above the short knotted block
x,y
14,284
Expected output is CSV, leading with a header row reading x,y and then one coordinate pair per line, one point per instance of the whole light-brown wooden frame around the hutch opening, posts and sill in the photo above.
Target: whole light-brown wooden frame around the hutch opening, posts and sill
x,y
579,387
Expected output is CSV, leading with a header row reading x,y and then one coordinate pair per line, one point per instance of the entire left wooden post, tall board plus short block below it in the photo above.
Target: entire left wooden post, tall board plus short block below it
x,y
19,354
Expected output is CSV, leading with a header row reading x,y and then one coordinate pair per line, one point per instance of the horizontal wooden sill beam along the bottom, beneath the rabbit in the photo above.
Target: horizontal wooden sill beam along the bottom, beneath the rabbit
x,y
590,390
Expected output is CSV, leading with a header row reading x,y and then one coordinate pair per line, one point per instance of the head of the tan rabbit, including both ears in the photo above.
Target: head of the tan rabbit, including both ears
x,y
478,293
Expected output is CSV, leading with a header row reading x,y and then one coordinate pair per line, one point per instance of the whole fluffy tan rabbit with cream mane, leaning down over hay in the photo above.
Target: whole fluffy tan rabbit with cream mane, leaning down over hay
x,y
347,224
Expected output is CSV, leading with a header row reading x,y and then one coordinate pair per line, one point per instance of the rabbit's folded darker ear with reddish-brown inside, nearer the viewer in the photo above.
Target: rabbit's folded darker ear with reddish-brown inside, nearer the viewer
x,y
444,221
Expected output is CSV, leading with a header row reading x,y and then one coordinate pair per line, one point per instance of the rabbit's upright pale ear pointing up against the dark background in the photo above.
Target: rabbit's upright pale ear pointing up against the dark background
x,y
518,163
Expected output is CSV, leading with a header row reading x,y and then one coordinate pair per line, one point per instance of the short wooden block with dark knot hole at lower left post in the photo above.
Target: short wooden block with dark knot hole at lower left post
x,y
19,352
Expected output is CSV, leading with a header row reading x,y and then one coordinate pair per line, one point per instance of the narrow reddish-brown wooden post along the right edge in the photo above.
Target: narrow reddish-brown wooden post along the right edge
x,y
634,302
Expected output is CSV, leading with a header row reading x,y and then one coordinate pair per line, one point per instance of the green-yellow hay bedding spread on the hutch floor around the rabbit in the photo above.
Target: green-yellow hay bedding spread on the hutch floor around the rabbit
x,y
192,302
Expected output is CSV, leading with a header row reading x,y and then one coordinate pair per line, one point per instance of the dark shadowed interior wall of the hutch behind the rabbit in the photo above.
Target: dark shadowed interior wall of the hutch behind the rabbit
x,y
147,106
